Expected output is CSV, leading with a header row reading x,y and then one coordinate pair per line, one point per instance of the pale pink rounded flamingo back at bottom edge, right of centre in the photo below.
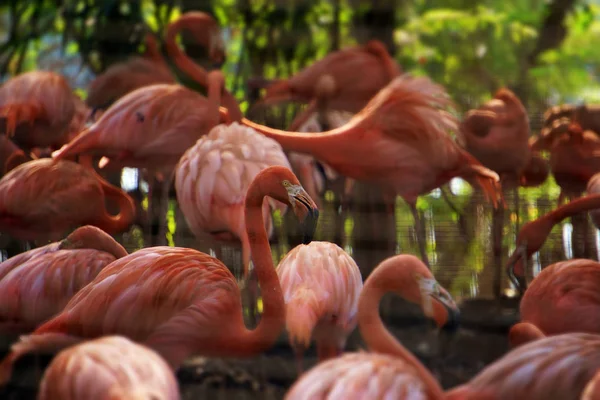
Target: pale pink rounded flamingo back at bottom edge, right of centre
x,y
358,376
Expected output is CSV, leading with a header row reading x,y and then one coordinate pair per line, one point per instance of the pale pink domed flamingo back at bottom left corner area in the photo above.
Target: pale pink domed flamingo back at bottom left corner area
x,y
111,367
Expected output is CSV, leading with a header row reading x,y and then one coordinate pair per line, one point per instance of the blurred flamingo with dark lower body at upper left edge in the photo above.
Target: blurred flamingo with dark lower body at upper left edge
x,y
37,108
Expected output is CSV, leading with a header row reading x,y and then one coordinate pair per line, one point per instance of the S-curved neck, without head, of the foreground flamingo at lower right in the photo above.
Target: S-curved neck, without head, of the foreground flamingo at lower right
x,y
374,332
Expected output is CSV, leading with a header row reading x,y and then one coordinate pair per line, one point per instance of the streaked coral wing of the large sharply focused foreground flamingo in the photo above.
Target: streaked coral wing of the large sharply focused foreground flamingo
x,y
136,294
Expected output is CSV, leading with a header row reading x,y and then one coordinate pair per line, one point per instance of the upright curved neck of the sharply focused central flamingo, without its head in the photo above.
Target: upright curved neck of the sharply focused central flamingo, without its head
x,y
272,321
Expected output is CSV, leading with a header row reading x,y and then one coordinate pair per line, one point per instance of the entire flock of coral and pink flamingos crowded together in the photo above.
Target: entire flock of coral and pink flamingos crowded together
x,y
122,323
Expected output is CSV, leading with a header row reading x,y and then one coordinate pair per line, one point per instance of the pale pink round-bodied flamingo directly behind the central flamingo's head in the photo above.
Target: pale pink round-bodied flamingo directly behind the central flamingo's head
x,y
213,176
